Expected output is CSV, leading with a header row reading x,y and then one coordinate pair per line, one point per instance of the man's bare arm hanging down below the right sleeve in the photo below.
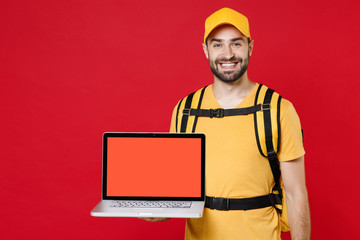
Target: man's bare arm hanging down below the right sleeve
x,y
293,176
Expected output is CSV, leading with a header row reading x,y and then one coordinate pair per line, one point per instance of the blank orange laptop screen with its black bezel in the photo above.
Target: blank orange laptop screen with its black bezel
x,y
153,165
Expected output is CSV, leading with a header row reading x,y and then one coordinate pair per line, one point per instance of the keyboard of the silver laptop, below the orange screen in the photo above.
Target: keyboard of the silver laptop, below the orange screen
x,y
149,204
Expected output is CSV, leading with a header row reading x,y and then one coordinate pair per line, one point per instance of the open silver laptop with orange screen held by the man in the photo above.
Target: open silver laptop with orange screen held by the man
x,y
152,175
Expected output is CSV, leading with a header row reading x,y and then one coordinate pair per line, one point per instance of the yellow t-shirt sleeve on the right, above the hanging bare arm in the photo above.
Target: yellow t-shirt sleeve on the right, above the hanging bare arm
x,y
291,134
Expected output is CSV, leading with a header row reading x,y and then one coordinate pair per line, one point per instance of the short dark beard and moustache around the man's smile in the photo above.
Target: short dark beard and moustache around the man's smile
x,y
229,76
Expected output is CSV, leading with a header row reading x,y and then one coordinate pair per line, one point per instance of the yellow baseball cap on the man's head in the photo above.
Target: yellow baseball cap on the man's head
x,y
227,16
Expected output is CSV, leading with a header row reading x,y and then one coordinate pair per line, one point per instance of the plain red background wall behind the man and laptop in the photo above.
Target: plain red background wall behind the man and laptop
x,y
70,70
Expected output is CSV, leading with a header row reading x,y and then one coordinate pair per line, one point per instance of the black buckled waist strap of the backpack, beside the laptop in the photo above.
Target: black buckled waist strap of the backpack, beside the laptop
x,y
226,204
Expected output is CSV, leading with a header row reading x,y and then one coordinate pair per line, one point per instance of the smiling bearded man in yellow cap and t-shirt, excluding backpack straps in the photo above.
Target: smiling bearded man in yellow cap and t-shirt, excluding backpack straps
x,y
234,167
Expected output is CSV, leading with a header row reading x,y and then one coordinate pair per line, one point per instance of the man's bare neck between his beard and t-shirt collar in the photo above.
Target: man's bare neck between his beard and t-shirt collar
x,y
229,95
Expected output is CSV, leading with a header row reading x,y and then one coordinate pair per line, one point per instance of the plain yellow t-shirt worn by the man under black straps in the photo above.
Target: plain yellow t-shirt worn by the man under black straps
x,y
236,169
